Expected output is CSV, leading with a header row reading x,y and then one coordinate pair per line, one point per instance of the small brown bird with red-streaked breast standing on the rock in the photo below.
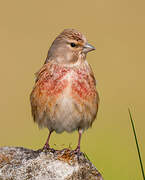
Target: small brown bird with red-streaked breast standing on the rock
x,y
64,96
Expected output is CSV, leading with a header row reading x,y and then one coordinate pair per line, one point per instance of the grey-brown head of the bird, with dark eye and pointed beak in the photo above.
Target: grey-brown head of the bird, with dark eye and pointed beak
x,y
69,47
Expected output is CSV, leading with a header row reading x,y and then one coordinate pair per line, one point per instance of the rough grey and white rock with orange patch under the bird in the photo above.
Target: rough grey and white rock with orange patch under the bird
x,y
17,163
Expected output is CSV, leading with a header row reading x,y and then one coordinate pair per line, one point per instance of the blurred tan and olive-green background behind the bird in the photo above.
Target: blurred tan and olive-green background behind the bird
x,y
117,29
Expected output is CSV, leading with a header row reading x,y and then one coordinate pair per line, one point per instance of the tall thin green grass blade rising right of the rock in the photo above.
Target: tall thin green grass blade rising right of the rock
x,y
137,145
